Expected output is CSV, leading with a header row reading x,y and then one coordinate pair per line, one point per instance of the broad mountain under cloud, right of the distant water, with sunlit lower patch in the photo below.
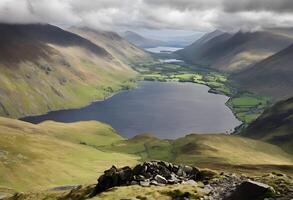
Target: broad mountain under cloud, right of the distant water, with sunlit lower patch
x,y
234,52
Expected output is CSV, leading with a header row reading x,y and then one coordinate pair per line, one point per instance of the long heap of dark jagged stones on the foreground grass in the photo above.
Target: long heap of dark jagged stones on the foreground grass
x,y
146,174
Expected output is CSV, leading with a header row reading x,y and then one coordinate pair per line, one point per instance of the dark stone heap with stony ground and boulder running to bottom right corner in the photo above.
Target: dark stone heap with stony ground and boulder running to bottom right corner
x,y
215,186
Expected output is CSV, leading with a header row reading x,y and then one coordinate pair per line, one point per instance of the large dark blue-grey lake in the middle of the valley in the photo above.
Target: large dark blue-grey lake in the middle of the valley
x,y
166,109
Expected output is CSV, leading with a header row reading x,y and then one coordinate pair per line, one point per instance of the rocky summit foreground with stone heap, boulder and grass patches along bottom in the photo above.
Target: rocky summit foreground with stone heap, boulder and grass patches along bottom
x,y
171,181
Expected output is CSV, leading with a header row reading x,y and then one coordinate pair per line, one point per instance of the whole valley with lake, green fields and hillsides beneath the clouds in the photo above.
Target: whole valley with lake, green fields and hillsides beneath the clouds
x,y
76,101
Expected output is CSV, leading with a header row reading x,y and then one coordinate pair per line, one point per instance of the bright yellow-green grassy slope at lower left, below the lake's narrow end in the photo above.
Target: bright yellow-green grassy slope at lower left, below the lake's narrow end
x,y
35,156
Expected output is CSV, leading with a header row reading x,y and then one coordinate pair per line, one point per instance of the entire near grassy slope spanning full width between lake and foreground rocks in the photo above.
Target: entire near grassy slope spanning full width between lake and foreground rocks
x,y
39,156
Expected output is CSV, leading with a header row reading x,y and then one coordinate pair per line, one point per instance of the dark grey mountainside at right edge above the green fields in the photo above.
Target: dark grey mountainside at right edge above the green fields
x,y
271,77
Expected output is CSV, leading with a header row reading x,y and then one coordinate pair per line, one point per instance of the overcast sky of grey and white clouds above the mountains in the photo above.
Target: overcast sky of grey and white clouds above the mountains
x,y
152,17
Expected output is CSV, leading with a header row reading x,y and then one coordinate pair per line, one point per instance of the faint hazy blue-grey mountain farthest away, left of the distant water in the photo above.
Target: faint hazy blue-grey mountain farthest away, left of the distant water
x,y
141,41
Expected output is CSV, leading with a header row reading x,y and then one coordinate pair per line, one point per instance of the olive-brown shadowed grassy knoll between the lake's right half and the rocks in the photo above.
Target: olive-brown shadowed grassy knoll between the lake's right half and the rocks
x,y
205,150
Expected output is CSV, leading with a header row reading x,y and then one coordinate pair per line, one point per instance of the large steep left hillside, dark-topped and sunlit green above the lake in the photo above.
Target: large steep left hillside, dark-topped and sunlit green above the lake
x,y
45,68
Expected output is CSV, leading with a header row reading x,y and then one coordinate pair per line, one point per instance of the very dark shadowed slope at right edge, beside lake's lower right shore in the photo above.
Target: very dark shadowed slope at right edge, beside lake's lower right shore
x,y
275,125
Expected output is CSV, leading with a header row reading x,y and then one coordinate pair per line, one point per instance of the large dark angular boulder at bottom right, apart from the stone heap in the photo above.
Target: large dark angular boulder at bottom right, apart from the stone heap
x,y
251,190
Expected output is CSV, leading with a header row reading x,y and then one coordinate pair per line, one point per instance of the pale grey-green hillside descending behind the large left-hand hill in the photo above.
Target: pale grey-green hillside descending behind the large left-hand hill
x,y
114,44
